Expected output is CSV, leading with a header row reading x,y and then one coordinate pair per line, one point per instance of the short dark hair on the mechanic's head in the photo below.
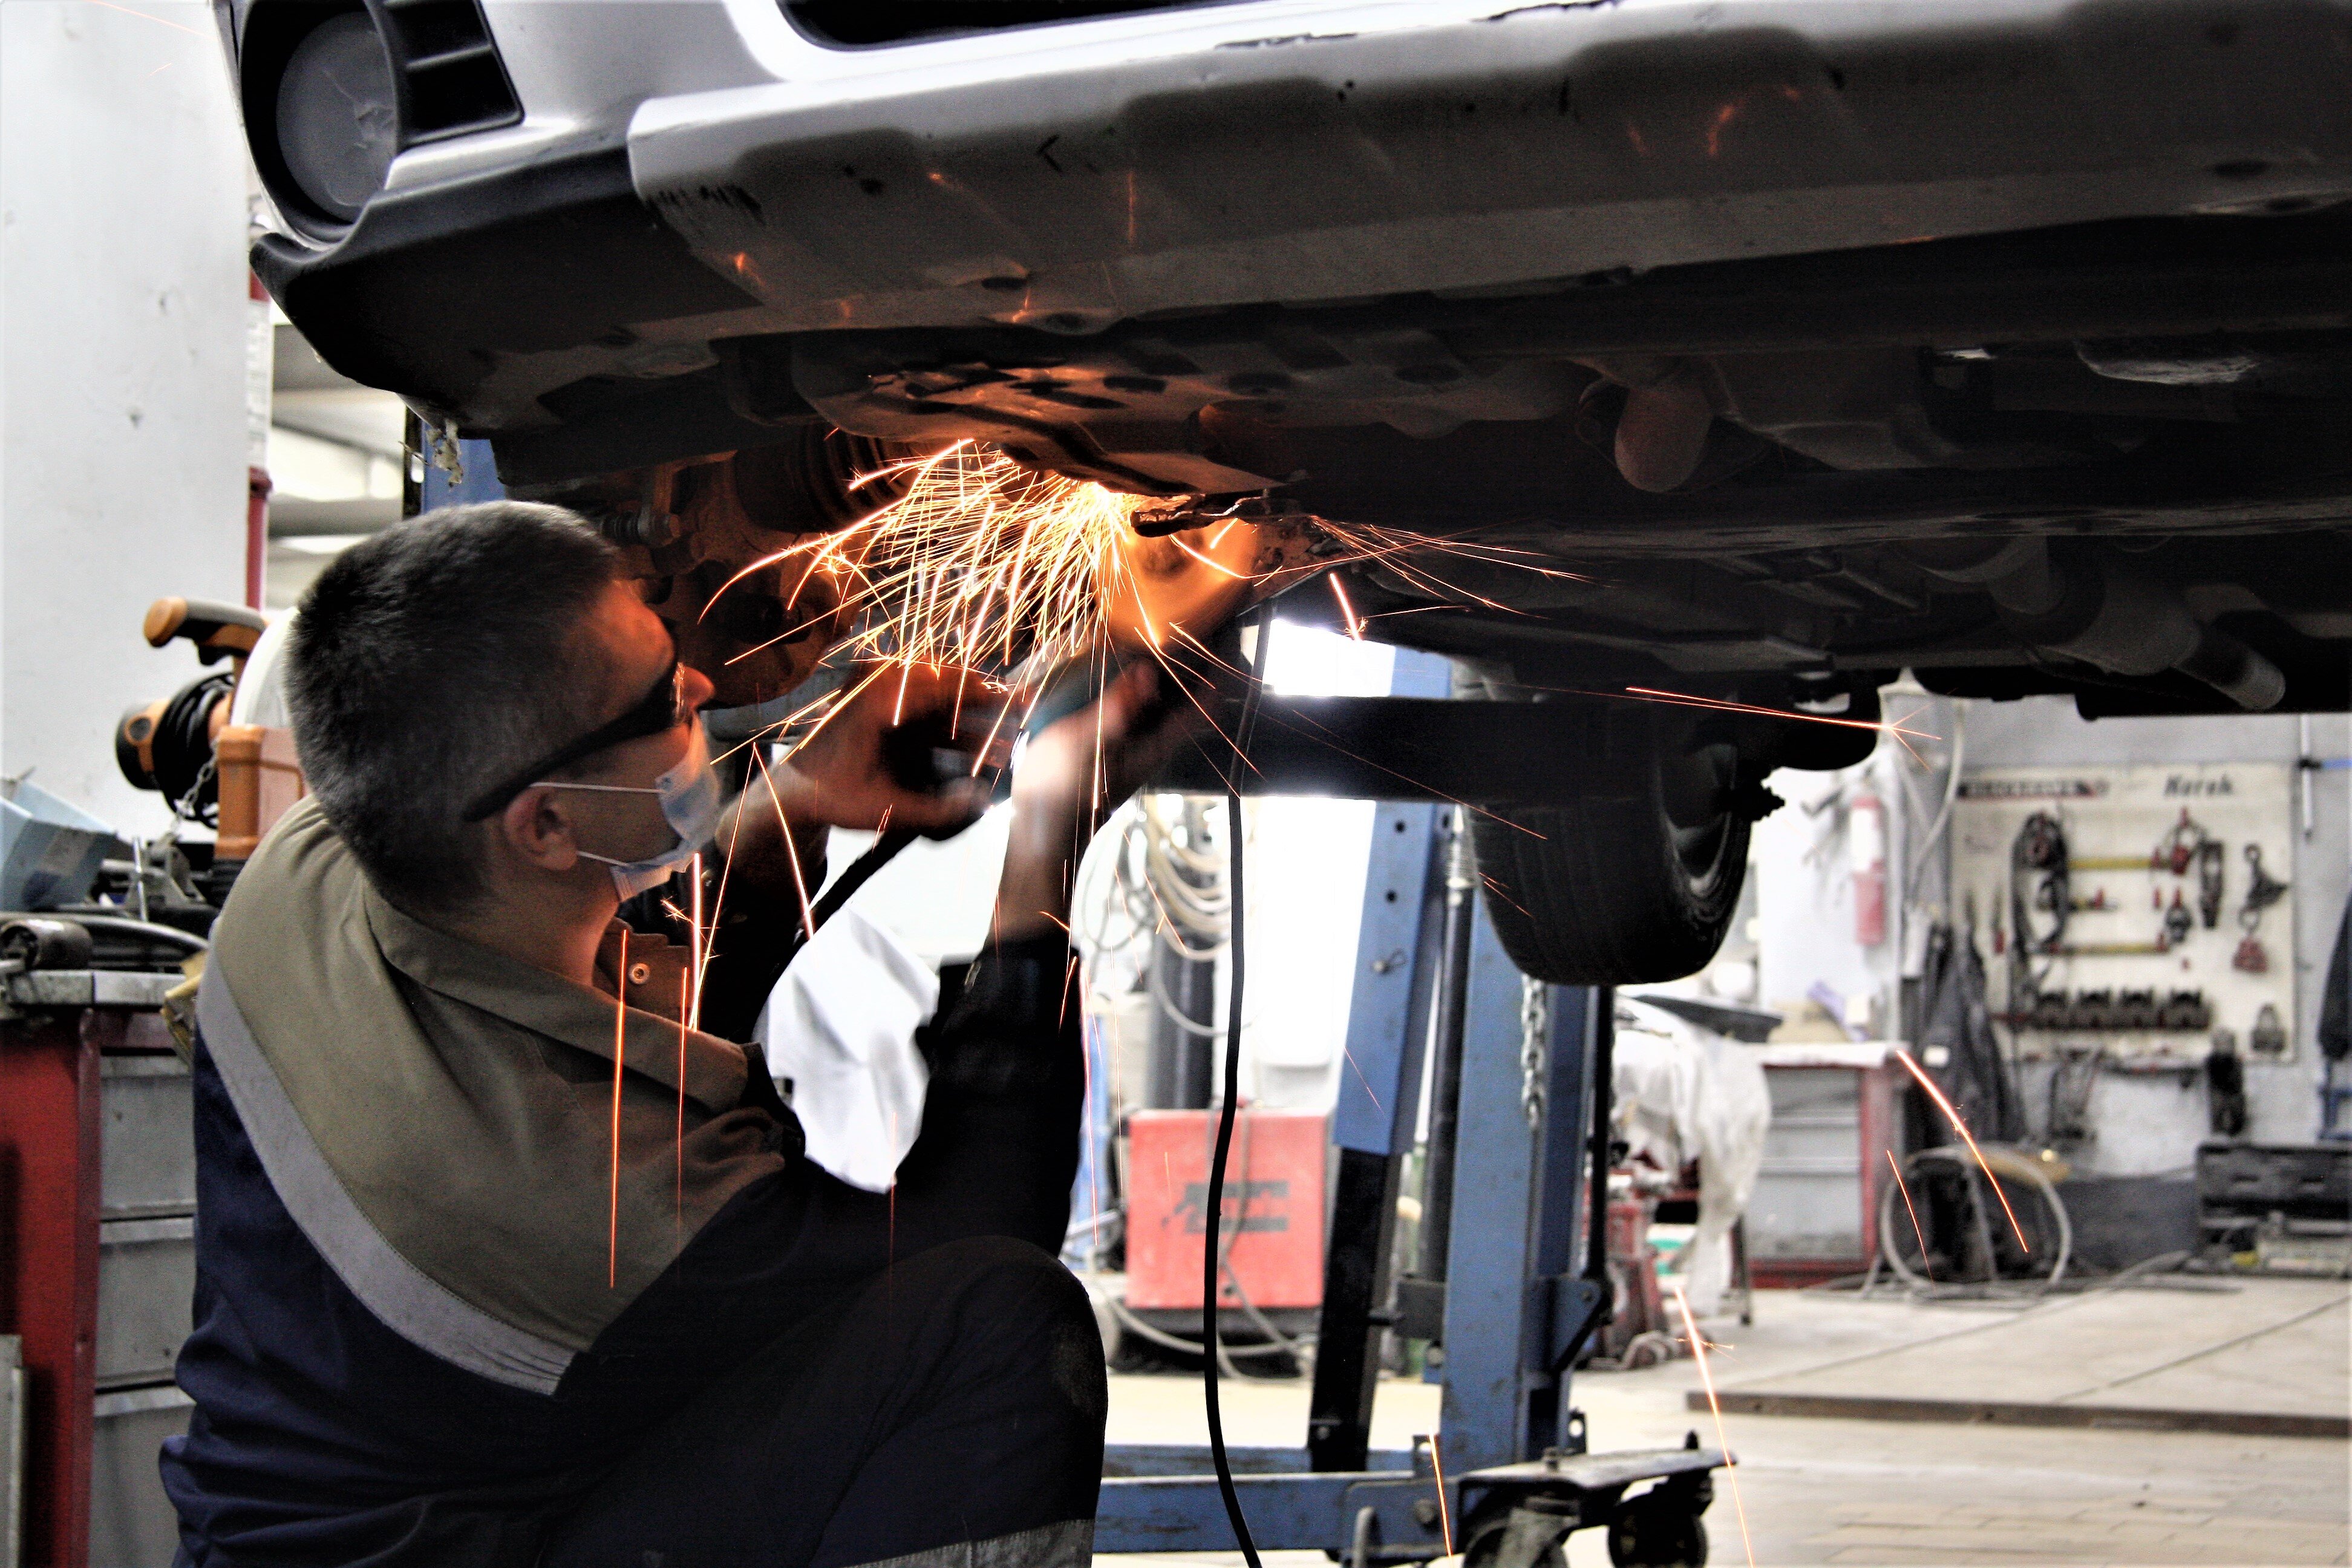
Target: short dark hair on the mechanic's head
x,y
432,664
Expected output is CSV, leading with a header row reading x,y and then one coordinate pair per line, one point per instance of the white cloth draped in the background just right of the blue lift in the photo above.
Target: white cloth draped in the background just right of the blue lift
x,y
1692,1094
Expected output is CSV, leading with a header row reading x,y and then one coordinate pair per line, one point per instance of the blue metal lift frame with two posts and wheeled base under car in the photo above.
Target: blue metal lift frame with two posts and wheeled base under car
x,y
1516,1299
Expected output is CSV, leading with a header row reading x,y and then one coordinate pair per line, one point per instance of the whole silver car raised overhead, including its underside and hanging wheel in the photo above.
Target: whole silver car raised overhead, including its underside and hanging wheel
x,y
1749,354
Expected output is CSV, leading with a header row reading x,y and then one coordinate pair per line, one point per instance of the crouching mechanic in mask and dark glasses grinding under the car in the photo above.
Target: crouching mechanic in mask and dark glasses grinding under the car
x,y
476,1292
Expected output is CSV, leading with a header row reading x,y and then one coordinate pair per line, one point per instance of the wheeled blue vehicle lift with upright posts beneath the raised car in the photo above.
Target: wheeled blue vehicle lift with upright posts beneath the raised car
x,y
1521,1130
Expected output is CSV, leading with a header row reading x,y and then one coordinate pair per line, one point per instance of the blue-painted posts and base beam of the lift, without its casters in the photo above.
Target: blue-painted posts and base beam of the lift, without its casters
x,y
1514,1301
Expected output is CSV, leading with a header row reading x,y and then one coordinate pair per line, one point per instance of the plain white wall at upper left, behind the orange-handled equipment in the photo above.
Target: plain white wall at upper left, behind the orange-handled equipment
x,y
123,302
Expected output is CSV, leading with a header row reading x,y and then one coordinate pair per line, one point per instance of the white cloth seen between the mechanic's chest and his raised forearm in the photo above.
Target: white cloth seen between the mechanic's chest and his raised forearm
x,y
841,1026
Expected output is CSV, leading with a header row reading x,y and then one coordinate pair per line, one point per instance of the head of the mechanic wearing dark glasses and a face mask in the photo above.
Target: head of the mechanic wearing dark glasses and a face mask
x,y
448,659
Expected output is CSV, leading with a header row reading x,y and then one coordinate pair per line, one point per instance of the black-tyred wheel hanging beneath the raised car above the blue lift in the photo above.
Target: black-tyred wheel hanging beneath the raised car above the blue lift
x,y
1633,880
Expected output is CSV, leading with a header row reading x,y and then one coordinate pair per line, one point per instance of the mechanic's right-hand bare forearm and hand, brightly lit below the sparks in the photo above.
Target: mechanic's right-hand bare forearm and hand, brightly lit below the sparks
x,y
1071,777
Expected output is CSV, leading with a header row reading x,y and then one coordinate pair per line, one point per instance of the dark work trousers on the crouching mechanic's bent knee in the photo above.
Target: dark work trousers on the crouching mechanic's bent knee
x,y
954,1400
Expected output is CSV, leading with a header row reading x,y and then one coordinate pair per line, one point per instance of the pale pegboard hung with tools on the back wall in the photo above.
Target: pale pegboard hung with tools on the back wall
x,y
2137,911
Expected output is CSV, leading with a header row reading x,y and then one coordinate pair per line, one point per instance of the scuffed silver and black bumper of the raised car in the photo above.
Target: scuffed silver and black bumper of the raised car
x,y
1281,154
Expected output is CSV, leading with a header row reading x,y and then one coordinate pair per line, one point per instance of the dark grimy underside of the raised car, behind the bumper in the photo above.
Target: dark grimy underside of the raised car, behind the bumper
x,y
2106,462
